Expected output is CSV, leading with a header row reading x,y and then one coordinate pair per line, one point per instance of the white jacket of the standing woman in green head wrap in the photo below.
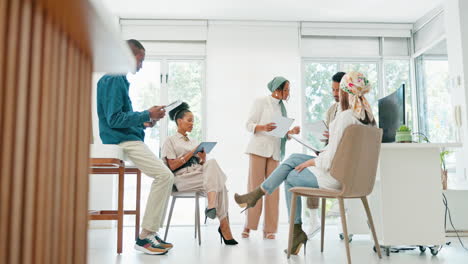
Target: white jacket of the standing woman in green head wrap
x,y
262,113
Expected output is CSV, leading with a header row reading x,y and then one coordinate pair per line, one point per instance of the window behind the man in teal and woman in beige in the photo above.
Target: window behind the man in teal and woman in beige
x,y
161,82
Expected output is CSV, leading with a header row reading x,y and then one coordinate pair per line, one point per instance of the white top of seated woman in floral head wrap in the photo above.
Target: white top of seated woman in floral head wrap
x,y
321,170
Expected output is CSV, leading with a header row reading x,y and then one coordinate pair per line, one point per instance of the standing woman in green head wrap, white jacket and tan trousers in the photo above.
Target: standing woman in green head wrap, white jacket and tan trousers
x,y
265,153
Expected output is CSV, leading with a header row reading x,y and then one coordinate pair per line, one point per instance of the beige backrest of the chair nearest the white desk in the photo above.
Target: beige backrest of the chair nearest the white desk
x,y
355,162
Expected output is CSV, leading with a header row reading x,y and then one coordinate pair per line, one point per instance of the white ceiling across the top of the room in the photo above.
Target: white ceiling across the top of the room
x,y
397,11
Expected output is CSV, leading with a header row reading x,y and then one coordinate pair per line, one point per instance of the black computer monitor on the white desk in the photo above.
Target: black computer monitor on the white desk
x,y
392,113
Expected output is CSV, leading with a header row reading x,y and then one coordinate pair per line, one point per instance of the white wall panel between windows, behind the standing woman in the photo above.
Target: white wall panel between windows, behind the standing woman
x,y
241,59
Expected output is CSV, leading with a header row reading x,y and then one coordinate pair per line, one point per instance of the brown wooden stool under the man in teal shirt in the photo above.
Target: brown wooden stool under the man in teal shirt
x,y
117,166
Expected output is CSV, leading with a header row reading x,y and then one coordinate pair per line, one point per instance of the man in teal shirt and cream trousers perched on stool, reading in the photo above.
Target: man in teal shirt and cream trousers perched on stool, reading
x,y
119,124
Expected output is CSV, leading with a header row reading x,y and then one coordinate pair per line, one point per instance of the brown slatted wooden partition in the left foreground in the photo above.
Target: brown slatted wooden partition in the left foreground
x,y
45,118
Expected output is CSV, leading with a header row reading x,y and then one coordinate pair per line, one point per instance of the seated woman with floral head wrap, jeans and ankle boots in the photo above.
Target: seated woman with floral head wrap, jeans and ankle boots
x,y
301,170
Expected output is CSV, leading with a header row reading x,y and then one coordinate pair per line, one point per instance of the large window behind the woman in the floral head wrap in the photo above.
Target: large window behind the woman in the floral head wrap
x,y
317,76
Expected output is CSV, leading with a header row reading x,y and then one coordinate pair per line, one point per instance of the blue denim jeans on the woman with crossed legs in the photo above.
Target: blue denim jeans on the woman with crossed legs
x,y
286,173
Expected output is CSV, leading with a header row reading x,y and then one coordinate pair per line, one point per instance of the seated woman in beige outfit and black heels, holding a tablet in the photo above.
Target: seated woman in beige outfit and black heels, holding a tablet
x,y
193,172
